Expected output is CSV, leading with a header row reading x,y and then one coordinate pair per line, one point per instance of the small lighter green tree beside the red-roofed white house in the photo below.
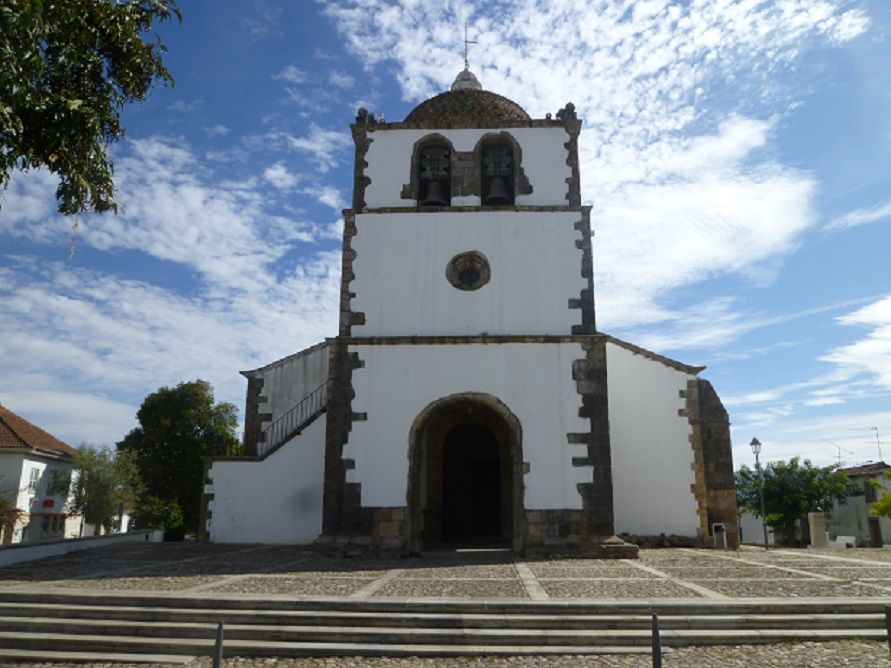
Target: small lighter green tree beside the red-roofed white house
x,y
101,485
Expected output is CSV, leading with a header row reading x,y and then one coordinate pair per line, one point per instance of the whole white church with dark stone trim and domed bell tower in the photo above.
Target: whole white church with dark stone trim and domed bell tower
x,y
469,397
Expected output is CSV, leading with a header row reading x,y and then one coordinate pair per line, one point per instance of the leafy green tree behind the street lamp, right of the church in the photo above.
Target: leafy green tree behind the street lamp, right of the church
x,y
791,490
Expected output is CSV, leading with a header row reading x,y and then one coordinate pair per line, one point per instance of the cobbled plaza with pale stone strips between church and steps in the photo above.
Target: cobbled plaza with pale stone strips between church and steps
x,y
290,571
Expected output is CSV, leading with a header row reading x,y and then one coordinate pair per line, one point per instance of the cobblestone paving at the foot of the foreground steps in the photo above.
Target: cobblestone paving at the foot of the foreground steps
x,y
810,655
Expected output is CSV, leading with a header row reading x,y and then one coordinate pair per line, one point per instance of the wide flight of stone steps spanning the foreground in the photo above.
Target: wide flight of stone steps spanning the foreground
x,y
134,627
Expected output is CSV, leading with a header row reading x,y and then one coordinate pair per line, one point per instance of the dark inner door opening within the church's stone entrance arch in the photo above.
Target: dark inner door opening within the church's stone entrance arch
x,y
471,485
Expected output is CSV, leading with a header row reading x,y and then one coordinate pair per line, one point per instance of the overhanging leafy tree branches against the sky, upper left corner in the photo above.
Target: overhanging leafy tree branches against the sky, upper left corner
x,y
68,68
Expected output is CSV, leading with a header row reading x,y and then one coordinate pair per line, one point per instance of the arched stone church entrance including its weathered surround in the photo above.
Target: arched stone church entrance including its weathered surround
x,y
465,482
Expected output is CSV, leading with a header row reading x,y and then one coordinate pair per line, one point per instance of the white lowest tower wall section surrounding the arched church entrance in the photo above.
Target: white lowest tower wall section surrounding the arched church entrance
x,y
533,380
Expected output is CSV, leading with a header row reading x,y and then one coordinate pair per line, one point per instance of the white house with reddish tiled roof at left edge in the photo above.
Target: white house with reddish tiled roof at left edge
x,y
35,477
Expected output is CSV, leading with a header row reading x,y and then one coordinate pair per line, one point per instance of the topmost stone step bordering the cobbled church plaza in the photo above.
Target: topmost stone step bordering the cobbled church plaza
x,y
550,607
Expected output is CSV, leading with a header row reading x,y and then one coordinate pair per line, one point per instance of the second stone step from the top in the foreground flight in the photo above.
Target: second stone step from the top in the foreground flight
x,y
11,616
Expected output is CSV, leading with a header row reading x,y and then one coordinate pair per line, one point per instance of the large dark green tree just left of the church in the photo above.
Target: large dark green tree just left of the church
x,y
177,427
